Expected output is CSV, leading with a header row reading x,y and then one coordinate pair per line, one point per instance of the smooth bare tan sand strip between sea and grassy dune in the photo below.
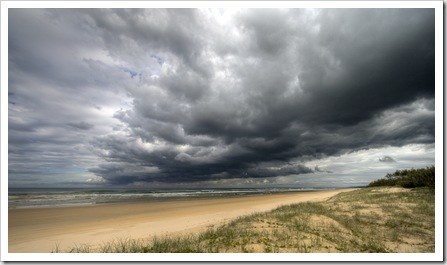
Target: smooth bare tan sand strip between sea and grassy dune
x,y
42,229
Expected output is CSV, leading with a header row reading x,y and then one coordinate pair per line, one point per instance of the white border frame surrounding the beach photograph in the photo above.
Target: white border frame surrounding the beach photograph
x,y
439,126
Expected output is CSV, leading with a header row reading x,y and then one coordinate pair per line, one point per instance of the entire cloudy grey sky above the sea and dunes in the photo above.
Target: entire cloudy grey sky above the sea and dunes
x,y
219,97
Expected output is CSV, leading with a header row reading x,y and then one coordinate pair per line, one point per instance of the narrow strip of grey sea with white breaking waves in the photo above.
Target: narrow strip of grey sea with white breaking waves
x,y
66,197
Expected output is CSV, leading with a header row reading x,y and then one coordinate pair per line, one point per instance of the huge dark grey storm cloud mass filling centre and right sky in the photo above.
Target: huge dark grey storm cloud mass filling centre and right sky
x,y
295,87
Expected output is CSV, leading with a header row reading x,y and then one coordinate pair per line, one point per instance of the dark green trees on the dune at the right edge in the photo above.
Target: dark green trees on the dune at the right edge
x,y
408,178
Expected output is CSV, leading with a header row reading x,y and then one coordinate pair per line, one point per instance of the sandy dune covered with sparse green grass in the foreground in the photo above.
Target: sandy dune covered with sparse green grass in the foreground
x,y
375,219
